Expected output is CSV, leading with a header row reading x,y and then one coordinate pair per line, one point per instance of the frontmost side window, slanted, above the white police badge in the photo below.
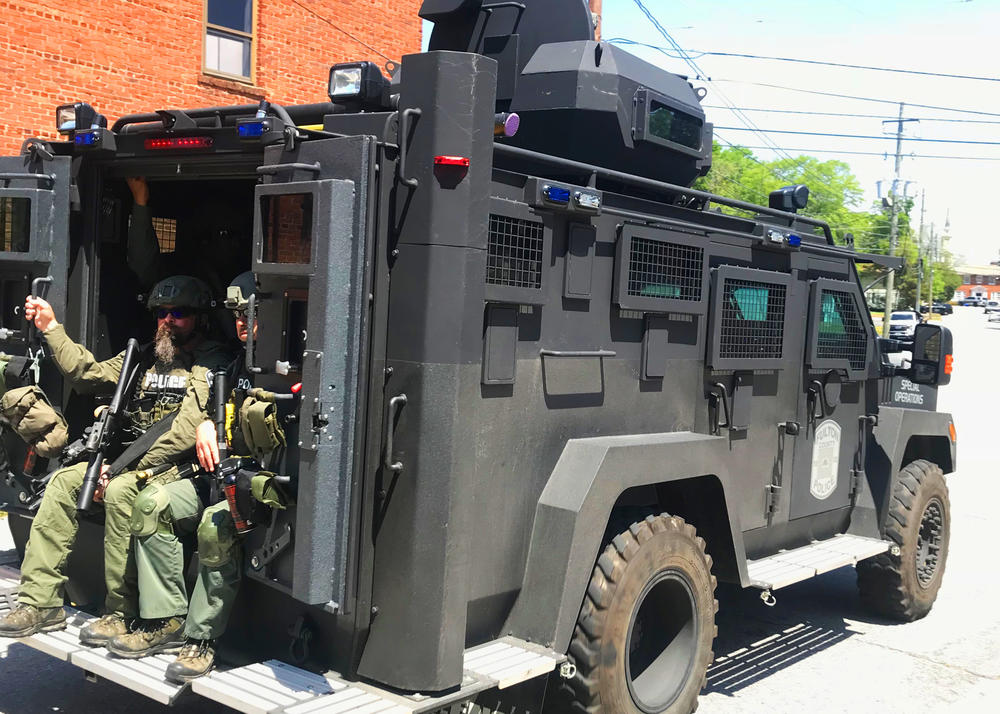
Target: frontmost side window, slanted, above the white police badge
x,y
838,333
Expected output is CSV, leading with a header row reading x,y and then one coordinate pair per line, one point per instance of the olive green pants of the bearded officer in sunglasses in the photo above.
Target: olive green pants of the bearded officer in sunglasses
x,y
53,535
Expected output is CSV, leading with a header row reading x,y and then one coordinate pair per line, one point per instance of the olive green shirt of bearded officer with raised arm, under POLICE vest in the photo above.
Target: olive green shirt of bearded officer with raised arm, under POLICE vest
x,y
183,387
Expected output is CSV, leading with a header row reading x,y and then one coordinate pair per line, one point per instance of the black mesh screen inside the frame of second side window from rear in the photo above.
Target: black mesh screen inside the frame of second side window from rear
x,y
664,270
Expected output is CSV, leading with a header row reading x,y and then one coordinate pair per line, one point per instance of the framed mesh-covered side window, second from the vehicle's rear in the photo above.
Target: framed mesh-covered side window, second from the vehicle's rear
x,y
659,271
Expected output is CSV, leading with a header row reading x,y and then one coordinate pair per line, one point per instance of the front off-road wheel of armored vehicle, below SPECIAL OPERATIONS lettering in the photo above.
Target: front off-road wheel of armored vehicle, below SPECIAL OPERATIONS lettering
x,y
905,586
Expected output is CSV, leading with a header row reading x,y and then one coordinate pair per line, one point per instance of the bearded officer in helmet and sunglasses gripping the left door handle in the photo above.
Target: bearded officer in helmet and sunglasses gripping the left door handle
x,y
175,366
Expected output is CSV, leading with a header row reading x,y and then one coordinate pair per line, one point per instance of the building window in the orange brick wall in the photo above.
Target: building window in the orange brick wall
x,y
229,36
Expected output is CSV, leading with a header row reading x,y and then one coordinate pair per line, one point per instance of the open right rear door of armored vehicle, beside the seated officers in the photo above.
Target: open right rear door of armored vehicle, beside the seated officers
x,y
311,254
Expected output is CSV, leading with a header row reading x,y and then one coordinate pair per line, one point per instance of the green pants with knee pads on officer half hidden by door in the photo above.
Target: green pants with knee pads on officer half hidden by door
x,y
160,561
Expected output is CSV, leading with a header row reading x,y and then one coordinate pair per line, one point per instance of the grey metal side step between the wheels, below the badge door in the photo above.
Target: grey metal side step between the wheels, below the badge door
x,y
792,566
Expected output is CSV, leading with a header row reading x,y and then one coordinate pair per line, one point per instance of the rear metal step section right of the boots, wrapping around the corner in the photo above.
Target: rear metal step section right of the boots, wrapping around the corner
x,y
274,687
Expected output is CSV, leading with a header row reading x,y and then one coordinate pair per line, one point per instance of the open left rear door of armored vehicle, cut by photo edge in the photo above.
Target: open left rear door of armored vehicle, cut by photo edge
x,y
34,243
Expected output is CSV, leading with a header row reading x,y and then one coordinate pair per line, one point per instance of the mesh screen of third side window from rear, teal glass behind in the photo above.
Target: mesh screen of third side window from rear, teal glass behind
x,y
753,319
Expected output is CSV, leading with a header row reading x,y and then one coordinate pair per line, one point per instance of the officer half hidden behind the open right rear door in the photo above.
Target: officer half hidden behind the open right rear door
x,y
163,513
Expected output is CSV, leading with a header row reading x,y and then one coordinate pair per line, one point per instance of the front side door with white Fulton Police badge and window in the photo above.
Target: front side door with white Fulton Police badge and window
x,y
832,399
